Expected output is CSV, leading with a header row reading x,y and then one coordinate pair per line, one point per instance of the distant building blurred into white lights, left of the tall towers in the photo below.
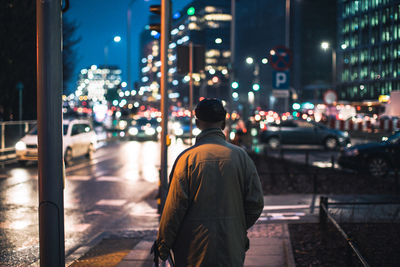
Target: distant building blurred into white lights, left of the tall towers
x,y
95,82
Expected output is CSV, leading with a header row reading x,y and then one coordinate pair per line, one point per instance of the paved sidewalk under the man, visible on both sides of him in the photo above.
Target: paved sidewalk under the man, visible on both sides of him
x,y
269,246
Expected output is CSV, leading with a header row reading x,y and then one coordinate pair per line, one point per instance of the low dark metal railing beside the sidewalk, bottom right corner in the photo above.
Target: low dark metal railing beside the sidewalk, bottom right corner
x,y
325,216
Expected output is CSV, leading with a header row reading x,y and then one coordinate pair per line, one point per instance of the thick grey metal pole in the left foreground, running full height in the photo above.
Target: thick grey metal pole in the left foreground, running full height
x,y
49,110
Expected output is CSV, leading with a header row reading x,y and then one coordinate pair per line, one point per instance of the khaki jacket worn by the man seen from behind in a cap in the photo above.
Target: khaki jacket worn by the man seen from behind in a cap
x,y
215,195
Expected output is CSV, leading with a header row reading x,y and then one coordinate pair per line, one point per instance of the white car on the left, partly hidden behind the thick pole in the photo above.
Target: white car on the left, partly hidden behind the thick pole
x,y
79,139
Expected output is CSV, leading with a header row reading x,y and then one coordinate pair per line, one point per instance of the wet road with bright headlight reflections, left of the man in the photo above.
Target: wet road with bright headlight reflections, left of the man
x,y
114,191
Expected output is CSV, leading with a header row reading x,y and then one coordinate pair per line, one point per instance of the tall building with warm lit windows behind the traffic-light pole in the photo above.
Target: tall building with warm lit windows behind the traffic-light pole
x,y
204,23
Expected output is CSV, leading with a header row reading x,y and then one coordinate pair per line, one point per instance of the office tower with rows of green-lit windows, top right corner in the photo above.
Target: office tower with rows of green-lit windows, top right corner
x,y
368,51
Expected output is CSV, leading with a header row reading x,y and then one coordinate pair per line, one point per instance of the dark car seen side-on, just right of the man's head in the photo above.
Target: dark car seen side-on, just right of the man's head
x,y
302,132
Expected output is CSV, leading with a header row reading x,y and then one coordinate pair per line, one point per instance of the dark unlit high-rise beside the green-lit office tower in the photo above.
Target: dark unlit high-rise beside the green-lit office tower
x,y
313,22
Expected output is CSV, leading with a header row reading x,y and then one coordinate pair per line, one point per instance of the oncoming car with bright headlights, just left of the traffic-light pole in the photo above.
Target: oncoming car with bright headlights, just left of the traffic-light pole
x,y
144,129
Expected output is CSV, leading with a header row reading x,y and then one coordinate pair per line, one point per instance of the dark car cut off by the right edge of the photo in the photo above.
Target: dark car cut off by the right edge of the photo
x,y
375,158
